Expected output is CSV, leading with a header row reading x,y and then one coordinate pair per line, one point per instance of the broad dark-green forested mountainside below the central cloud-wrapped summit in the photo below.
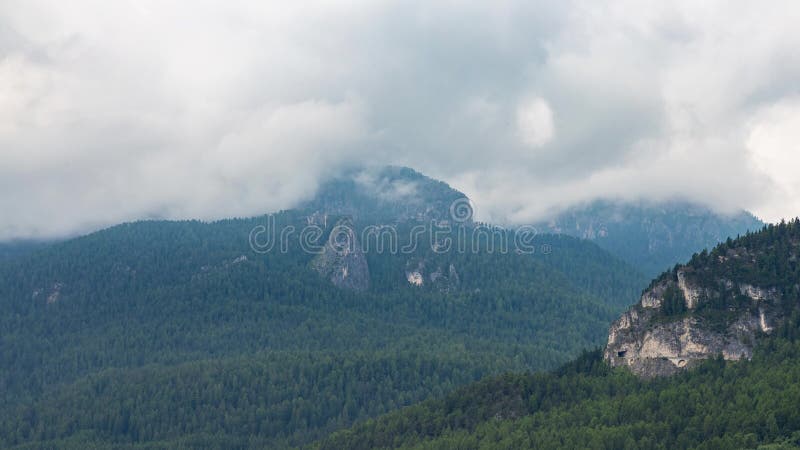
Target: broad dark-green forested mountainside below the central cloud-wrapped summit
x,y
243,333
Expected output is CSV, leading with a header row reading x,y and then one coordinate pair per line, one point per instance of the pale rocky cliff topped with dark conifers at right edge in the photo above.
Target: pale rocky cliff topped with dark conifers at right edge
x,y
718,304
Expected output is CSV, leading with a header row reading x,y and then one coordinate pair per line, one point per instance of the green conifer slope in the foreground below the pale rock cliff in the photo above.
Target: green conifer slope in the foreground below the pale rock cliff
x,y
717,406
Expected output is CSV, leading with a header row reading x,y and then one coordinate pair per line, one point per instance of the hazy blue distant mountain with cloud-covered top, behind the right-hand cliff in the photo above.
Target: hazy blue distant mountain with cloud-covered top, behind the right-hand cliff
x,y
651,236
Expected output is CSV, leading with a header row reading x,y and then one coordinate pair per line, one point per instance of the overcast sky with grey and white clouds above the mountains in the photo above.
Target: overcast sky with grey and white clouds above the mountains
x,y
120,110
